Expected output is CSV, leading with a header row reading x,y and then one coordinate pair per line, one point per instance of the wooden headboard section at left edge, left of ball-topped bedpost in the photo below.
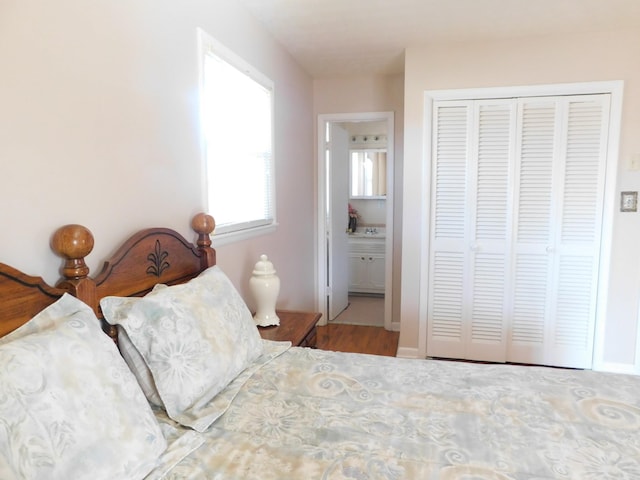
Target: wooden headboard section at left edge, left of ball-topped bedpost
x,y
22,297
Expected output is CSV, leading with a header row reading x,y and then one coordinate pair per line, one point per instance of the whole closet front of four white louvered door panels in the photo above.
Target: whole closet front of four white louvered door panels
x,y
516,218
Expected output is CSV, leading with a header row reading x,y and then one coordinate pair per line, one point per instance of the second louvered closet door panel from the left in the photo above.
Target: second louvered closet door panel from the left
x,y
490,184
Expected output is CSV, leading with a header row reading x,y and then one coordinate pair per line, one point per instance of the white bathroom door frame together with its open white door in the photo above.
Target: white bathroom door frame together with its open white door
x,y
333,210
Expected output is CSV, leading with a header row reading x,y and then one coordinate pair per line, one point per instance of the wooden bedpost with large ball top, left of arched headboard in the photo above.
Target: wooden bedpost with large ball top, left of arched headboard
x,y
73,243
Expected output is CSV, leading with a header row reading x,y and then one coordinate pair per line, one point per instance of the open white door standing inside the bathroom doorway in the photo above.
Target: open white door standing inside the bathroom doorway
x,y
338,200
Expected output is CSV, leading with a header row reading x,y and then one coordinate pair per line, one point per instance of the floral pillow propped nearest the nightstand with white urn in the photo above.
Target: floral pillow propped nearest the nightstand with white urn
x,y
195,338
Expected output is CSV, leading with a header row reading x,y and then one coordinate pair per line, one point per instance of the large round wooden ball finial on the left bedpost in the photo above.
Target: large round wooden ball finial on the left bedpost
x,y
73,243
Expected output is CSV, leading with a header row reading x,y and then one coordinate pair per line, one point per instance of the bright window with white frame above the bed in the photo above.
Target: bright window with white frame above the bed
x,y
236,104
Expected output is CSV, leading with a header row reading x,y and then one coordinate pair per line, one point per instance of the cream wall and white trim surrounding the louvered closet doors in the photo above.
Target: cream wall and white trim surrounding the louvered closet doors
x,y
527,61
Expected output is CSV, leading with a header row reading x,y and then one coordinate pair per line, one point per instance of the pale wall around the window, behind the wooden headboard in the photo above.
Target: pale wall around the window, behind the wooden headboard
x,y
99,126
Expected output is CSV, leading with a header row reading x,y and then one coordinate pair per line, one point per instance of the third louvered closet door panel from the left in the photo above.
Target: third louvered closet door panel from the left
x,y
533,218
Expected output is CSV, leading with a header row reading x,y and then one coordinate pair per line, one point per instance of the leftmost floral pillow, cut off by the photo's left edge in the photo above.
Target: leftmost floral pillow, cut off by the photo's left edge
x,y
69,406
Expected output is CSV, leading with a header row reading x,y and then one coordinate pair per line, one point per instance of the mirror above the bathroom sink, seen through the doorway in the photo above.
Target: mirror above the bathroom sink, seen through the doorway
x,y
368,173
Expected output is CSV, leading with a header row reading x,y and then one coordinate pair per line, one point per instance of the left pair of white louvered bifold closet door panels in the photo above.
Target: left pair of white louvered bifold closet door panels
x,y
471,225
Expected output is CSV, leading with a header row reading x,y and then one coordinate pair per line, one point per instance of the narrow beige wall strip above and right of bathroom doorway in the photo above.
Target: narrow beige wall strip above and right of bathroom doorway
x,y
372,94
